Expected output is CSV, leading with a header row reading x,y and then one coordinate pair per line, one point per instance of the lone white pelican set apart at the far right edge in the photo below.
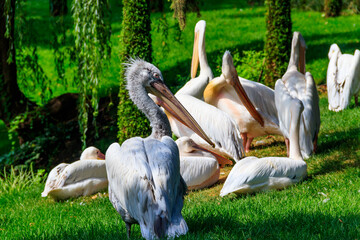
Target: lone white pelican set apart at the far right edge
x,y
343,78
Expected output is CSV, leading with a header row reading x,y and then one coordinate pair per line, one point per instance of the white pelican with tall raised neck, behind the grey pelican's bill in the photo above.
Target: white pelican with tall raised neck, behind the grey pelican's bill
x,y
218,125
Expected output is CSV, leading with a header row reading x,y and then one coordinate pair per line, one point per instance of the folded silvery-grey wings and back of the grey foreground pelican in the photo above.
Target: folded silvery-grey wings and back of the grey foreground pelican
x,y
144,179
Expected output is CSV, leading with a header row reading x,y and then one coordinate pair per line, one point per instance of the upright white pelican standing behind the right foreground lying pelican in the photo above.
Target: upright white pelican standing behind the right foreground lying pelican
x,y
300,85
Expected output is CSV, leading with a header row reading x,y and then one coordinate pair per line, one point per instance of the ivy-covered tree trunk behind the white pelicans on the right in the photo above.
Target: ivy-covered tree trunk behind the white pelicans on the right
x,y
278,39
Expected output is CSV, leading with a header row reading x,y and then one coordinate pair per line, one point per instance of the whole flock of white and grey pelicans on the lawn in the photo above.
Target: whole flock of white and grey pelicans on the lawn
x,y
215,119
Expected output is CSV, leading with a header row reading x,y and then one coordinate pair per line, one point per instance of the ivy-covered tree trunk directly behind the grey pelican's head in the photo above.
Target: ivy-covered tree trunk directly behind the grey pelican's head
x,y
136,42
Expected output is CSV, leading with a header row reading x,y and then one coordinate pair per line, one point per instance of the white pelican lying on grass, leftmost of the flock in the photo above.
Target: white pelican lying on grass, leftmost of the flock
x,y
81,178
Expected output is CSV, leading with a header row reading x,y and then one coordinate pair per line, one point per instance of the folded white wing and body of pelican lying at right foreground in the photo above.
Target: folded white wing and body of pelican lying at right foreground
x,y
258,174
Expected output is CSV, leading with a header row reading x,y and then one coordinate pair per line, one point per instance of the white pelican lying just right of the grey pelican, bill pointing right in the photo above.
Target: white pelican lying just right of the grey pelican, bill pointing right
x,y
199,167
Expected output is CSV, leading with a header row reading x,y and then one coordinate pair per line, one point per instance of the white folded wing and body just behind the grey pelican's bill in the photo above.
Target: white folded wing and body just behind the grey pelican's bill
x,y
220,128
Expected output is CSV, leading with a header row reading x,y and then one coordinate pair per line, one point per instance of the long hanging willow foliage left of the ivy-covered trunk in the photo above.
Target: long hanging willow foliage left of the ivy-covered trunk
x,y
92,43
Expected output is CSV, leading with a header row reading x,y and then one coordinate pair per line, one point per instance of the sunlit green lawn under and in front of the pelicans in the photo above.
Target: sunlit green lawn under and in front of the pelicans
x,y
324,206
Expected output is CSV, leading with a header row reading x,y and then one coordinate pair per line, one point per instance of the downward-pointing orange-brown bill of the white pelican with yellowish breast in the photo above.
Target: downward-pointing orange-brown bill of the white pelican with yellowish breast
x,y
235,82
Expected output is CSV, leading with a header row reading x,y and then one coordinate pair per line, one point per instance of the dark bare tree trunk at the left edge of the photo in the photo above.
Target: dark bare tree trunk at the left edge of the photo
x,y
12,100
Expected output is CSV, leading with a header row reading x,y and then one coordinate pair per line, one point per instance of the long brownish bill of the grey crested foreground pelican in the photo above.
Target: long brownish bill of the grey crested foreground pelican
x,y
160,90
